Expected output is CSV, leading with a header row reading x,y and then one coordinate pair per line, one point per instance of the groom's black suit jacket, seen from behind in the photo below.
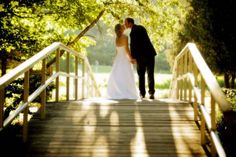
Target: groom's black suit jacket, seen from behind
x,y
140,44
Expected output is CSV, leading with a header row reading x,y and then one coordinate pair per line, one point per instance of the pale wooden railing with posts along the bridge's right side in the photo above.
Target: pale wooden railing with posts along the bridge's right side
x,y
193,81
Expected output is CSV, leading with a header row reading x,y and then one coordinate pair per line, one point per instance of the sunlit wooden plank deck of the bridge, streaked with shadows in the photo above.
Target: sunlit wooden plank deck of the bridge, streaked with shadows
x,y
105,128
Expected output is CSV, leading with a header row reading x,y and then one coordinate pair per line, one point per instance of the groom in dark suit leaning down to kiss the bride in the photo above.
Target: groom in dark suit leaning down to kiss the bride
x,y
144,53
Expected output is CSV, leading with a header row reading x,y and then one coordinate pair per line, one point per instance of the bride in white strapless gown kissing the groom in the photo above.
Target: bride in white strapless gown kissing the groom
x,y
121,83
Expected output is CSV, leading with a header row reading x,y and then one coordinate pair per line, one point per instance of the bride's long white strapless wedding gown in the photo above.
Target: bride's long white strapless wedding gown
x,y
121,83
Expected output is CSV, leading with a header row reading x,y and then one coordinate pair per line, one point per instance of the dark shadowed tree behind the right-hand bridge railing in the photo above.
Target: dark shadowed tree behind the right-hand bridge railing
x,y
210,25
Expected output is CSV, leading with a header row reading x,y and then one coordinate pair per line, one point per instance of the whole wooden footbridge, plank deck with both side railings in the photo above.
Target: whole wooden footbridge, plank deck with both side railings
x,y
89,125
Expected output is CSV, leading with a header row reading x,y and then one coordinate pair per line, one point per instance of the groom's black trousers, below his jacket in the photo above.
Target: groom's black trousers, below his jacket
x,y
146,65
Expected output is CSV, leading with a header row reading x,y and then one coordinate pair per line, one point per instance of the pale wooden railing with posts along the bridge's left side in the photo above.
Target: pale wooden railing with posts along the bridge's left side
x,y
82,76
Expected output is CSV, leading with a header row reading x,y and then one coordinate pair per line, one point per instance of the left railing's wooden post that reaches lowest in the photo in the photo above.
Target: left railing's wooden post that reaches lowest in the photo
x,y
26,111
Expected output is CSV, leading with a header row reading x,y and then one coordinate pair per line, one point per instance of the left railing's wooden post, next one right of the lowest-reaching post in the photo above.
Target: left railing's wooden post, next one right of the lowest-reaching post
x,y
43,94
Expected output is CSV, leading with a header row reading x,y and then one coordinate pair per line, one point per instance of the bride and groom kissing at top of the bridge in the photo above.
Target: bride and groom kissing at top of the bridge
x,y
121,83
